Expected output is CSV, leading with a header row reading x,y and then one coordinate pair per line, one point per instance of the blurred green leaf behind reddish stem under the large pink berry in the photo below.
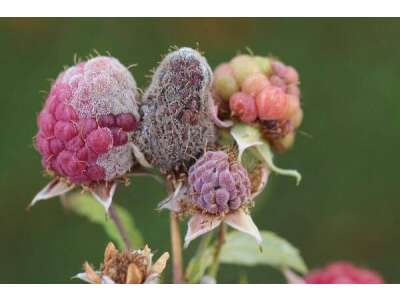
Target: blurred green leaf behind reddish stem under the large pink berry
x,y
86,206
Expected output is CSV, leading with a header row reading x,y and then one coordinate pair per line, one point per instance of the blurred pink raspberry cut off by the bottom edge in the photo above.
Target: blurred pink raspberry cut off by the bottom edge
x,y
343,272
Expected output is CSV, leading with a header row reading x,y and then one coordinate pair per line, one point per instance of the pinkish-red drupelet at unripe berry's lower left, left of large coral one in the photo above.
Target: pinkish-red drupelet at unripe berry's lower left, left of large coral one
x,y
243,106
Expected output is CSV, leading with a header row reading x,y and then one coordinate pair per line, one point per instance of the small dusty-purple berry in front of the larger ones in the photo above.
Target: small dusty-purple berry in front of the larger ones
x,y
217,184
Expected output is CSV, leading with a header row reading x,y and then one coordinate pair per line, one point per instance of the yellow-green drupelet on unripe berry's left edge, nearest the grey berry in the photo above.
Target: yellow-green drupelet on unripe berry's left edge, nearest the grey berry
x,y
225,84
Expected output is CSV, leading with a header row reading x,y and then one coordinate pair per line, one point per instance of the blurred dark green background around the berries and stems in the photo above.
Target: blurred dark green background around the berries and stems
x,y
347,206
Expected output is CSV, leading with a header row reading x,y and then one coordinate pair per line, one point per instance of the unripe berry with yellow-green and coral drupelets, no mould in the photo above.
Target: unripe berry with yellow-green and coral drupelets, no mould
x,y
261,91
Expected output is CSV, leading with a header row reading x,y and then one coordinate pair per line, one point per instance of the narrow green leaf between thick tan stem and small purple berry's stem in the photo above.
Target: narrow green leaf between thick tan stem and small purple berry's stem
x,y
200,262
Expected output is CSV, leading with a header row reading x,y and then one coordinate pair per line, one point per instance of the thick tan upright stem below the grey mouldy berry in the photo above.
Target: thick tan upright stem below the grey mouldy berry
x,y
176,249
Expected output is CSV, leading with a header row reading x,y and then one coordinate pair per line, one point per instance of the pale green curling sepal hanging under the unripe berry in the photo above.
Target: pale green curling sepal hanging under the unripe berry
x,y
247,136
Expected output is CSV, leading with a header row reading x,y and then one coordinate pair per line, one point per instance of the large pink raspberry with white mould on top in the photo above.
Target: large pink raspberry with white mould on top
x,y
87,121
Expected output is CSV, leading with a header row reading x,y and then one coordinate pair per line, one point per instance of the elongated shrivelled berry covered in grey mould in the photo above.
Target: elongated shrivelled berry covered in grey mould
x,y
176,123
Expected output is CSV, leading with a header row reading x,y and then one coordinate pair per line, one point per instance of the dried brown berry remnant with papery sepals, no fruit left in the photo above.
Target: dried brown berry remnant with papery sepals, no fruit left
x,y
130,267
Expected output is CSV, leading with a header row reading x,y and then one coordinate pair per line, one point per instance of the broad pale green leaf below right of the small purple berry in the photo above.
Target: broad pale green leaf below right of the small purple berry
x,y
241,249
